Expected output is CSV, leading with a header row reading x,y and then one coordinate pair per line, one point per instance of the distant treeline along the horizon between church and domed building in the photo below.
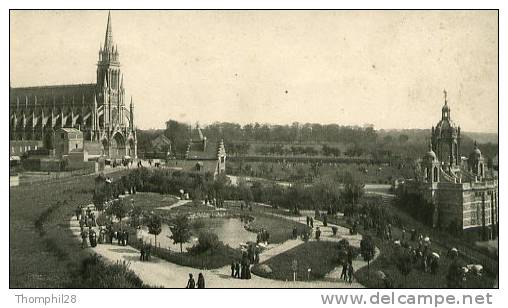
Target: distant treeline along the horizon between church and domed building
x,y
294,139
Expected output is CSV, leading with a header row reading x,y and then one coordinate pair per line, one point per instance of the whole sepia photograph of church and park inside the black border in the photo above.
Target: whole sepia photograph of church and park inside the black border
x,y
313,149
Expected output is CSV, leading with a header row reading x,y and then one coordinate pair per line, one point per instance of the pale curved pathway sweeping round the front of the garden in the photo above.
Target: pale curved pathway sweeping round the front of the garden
x,y
161,273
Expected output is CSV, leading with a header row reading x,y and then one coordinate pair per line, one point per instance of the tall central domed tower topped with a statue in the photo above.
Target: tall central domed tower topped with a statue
x,y
446,139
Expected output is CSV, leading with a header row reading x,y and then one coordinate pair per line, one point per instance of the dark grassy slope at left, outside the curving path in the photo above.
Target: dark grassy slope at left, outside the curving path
x,y
43,252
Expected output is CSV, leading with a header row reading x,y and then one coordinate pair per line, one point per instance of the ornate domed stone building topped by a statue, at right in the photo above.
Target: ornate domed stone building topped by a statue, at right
x,y
463,192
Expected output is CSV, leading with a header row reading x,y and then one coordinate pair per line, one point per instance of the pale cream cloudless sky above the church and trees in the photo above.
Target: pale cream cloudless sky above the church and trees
x,y
386,68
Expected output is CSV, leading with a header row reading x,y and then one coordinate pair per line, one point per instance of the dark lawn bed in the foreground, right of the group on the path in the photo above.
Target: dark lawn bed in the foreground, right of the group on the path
x,y
320,257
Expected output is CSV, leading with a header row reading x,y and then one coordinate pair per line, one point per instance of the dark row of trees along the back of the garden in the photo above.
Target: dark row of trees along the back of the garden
x,y
322,194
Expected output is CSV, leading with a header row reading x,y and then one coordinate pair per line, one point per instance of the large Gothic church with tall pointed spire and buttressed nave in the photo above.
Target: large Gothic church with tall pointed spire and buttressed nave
x,y
98,111
